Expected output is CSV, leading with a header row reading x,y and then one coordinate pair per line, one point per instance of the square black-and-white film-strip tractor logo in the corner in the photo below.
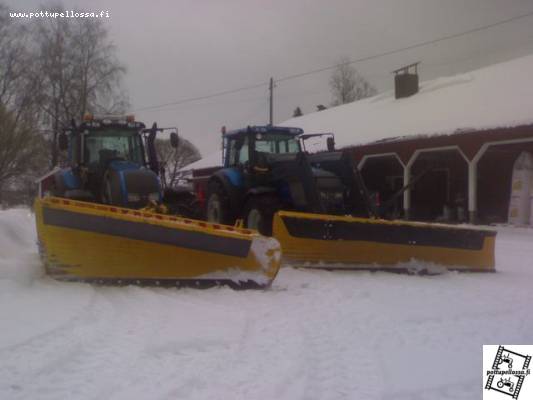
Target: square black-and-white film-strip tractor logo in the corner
x,y
508,372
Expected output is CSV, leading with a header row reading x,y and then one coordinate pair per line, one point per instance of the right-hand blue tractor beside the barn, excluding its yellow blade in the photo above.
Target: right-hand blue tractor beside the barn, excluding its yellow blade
x,y
266,169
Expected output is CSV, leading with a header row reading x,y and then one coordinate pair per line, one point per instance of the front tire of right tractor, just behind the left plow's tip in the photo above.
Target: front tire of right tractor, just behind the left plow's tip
x,y
259,213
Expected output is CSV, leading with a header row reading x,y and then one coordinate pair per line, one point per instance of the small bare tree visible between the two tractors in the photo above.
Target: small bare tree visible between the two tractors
x,y
173,159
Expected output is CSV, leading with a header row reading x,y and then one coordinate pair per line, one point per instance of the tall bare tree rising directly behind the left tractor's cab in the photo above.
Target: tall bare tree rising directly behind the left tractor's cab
x,y
79,72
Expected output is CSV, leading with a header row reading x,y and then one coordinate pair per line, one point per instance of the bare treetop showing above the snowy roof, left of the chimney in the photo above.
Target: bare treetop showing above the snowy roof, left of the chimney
x,y
347,85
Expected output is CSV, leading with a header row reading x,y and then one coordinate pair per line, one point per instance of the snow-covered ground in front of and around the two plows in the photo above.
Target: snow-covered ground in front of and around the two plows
x,y
314,335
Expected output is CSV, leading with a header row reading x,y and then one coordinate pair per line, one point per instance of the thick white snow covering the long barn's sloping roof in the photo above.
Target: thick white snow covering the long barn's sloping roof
x,y
496,96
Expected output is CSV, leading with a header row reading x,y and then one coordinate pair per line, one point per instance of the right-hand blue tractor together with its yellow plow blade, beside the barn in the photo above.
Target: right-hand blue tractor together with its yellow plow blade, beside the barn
x,y
318,208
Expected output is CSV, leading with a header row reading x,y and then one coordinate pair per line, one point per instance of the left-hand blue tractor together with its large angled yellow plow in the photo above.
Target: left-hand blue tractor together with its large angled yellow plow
x,y
101,219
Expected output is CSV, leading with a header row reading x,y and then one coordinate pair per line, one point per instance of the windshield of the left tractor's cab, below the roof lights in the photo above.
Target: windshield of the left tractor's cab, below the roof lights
x,y
101,146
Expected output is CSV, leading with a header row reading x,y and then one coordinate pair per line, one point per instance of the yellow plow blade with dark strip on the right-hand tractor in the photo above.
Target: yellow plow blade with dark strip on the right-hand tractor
x,y
326,240
